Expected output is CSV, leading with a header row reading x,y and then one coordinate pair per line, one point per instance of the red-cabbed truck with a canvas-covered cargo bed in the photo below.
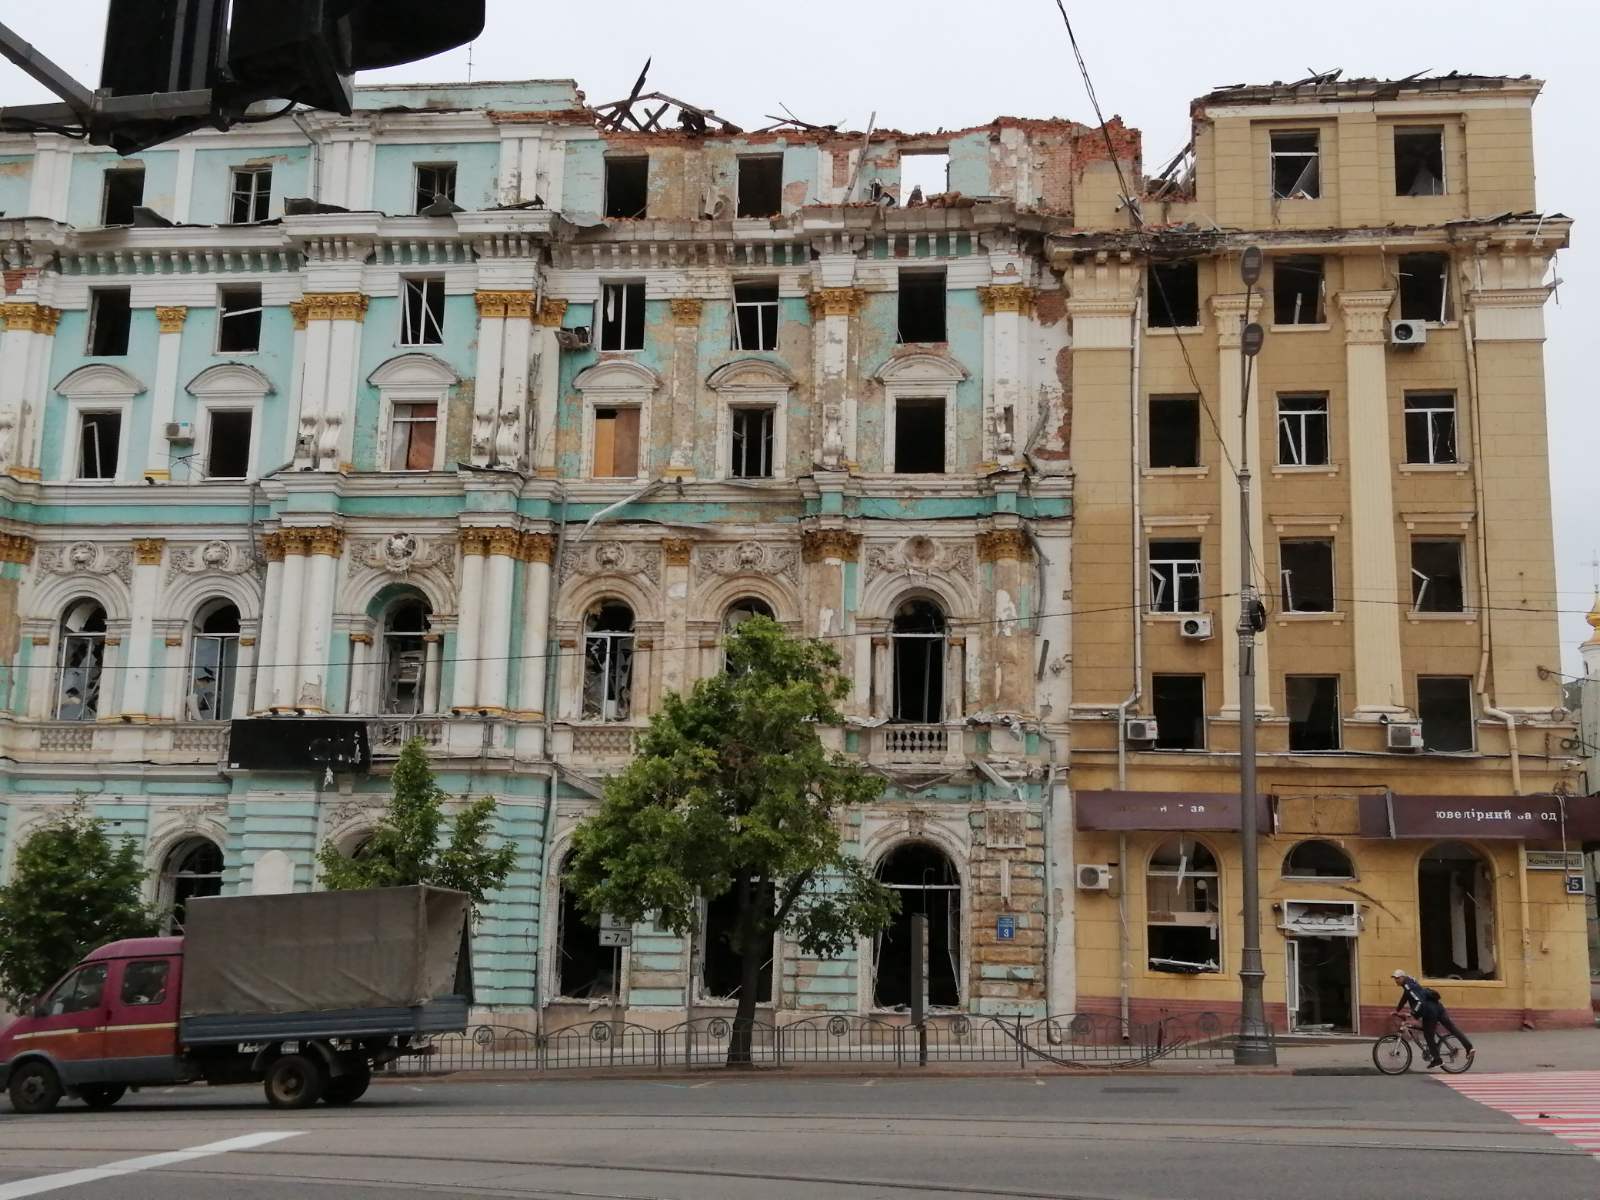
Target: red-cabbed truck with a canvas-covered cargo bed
x,y
302,993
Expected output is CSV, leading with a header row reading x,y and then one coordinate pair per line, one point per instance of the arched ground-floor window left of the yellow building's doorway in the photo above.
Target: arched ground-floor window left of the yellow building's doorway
x,y
1183,894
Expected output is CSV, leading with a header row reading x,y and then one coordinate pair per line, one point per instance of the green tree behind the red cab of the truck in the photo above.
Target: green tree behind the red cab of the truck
x,y
73,889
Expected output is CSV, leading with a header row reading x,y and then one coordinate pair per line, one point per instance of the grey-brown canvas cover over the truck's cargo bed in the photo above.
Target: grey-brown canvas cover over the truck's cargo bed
x,y
324,951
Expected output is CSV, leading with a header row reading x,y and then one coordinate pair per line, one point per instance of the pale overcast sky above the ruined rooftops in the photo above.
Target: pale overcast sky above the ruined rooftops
x,y
930,65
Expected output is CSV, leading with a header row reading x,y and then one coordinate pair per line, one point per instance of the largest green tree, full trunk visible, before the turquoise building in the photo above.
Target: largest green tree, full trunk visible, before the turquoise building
x,y
734,791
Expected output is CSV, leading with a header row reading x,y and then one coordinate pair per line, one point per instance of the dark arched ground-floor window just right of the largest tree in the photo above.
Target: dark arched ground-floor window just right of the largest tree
x,y
927,884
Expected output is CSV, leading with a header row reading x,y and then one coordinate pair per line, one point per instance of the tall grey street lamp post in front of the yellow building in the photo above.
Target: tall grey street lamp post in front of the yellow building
x,y
1255,1039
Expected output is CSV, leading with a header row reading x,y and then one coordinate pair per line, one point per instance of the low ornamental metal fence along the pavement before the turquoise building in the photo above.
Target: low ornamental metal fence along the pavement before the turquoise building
x,y
1074,1041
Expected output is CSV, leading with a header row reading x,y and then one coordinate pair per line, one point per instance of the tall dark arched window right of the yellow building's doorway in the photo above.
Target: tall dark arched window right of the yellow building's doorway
x,y
1455,908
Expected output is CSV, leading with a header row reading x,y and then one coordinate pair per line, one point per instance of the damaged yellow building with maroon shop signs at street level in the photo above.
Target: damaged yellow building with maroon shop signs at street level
x,y
1412,777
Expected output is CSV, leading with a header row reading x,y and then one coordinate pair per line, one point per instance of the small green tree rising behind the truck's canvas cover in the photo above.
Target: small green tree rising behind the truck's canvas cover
x,y
409,847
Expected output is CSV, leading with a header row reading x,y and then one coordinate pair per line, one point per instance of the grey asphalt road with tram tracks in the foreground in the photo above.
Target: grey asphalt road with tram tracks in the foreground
x,y
1103,1138
